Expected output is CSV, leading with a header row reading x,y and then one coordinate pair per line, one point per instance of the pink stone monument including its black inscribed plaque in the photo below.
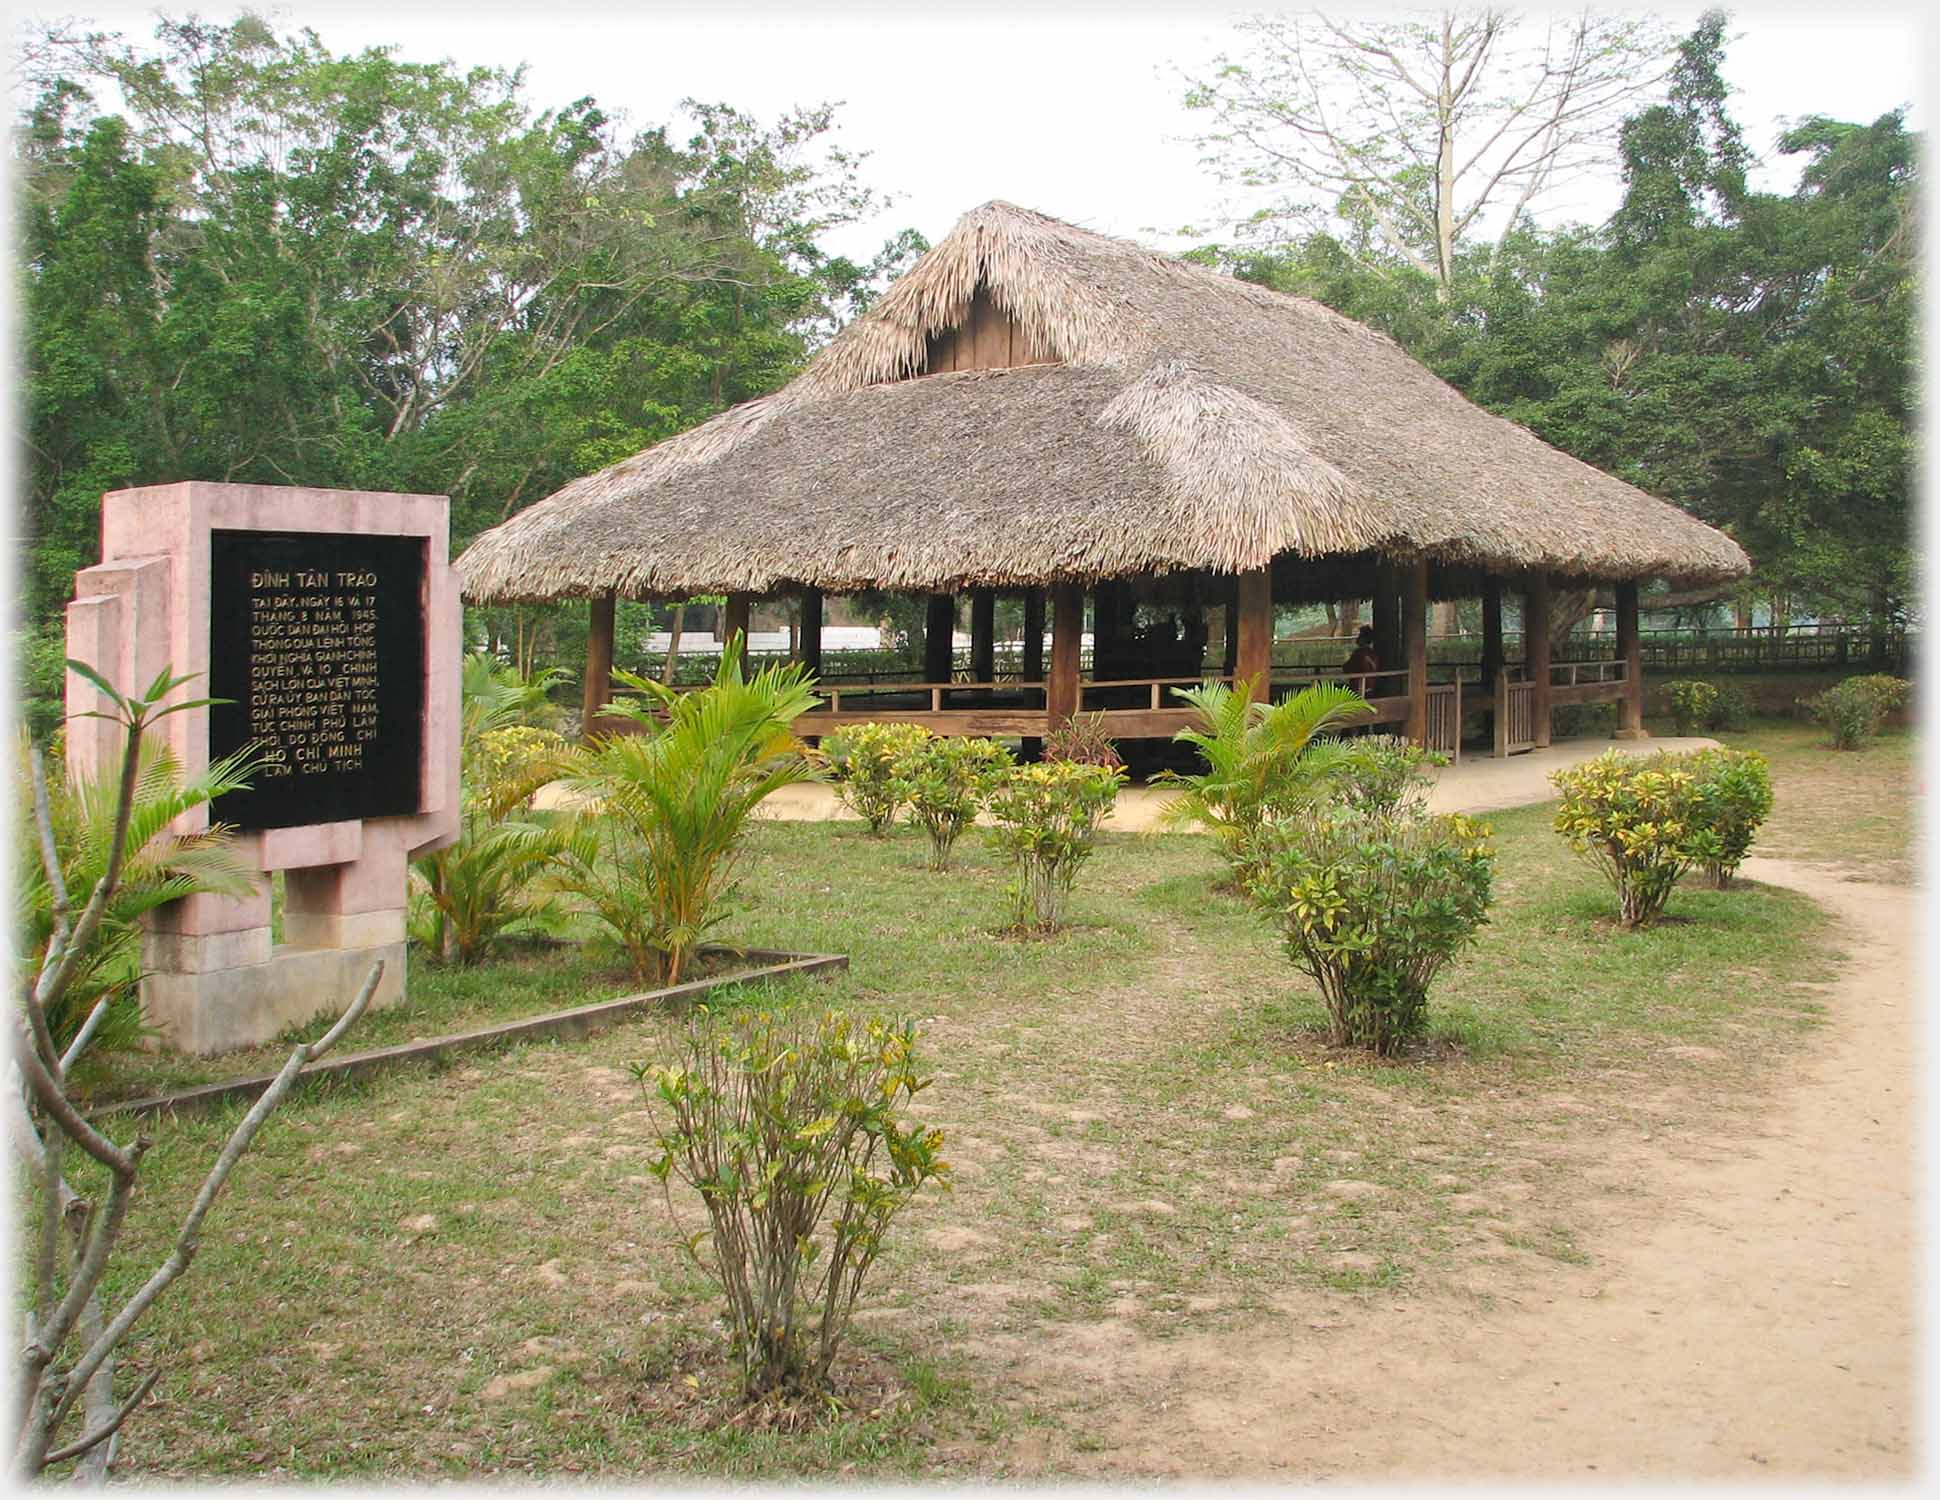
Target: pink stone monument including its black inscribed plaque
x,y
331,624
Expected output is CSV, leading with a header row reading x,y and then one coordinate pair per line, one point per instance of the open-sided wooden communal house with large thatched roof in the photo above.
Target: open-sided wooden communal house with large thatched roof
x,y
1045,410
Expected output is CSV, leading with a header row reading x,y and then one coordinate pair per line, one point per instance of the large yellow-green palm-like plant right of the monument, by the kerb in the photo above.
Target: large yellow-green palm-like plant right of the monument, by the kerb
x,y
655,849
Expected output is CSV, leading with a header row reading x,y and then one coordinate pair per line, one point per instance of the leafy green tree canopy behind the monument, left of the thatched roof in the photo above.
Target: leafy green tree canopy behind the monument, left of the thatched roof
x,y
280,265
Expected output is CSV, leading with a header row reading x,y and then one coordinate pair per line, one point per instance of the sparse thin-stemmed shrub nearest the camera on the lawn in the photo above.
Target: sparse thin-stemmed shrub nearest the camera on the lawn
x,y
783,1125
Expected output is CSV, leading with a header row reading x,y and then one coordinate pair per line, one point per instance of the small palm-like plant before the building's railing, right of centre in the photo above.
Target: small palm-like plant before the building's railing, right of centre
x,y
1262,760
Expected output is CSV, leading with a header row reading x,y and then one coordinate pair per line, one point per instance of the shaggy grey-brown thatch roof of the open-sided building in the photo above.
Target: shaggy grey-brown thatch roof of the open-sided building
x,y
1194,422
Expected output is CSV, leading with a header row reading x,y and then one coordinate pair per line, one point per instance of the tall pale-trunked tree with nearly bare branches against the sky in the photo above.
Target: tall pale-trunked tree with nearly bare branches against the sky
x,y
1409,137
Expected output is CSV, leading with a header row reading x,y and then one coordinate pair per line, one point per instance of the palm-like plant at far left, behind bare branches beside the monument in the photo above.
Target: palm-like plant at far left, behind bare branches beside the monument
x,y
156,868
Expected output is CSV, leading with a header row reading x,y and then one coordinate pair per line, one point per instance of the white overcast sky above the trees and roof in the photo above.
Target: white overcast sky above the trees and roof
x,y
1070,106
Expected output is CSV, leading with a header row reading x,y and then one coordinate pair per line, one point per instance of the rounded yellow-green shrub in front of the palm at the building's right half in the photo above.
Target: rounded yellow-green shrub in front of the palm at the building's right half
x,y
1373,905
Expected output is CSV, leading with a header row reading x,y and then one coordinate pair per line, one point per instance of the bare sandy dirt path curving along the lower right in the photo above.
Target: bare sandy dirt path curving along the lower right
x,y
1751,1317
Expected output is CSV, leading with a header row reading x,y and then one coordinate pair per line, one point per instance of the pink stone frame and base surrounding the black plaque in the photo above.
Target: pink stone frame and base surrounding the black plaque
x,y
214,981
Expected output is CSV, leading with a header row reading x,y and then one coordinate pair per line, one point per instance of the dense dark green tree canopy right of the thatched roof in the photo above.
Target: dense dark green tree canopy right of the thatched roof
x,y
1743,354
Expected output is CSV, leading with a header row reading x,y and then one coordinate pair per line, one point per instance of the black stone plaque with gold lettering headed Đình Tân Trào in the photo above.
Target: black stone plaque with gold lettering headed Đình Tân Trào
x,y
319,641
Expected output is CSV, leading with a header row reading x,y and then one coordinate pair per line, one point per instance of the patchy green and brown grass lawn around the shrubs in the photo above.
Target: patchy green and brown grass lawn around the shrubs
x,y
470,1272
